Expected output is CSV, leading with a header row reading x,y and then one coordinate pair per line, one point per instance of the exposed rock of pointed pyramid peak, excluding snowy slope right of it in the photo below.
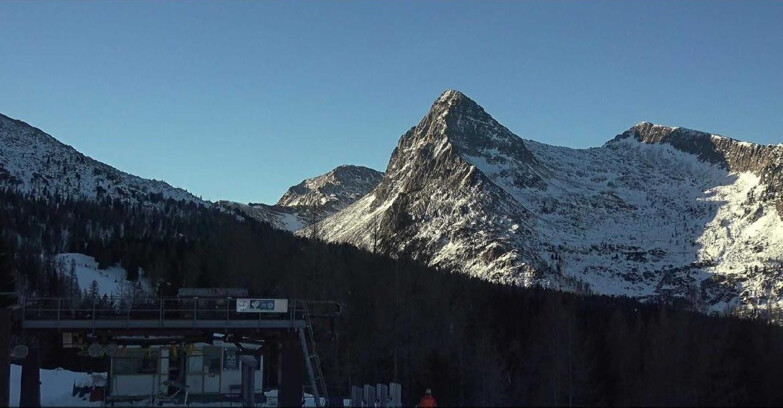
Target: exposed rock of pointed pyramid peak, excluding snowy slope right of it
x,y
433,199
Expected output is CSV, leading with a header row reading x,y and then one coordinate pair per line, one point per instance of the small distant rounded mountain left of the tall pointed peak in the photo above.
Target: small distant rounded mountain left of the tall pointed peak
x,y
315,198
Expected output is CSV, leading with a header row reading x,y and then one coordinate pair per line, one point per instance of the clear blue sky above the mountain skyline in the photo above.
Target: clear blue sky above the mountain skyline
x,y
240,100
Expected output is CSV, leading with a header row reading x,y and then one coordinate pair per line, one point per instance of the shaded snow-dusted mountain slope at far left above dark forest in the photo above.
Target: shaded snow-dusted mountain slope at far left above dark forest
x,y
33,162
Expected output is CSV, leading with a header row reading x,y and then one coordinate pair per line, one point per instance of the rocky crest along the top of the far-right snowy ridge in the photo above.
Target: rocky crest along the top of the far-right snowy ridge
x,y
733,155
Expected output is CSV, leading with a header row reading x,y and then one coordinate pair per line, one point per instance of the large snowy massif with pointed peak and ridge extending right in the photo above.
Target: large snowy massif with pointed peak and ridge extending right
x,y
657,212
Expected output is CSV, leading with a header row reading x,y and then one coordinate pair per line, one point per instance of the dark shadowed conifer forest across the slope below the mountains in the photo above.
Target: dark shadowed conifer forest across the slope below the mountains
x,y
473,343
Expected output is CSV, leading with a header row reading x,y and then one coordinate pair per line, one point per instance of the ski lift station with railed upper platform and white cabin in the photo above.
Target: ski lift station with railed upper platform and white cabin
x,y
203,346
